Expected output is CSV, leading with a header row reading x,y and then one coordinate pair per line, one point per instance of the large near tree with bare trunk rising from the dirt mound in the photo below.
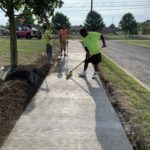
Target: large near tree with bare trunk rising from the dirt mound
x,y
41,9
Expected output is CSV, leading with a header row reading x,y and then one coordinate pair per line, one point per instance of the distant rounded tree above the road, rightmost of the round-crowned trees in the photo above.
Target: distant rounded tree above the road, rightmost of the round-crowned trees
x,y
128,24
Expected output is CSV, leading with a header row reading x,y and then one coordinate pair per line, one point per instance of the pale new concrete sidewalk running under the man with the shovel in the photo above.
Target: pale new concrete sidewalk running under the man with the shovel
x,y
69,115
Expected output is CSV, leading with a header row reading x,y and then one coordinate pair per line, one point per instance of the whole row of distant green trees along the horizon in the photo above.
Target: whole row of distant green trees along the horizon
x,y
93,22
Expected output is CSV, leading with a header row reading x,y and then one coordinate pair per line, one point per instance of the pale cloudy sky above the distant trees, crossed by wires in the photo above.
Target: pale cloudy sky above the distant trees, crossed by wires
x,y
110,10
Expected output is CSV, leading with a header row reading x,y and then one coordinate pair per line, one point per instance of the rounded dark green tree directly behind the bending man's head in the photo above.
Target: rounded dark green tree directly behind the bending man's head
x,y
94,21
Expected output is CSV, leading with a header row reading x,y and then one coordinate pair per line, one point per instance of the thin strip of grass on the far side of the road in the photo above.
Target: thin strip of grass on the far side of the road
x,y
145,43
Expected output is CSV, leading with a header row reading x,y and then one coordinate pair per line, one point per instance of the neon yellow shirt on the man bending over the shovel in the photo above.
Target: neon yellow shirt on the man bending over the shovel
x,y
91,41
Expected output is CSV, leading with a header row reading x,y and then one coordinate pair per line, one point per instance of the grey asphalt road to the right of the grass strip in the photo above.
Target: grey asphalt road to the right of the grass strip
x,y
135,59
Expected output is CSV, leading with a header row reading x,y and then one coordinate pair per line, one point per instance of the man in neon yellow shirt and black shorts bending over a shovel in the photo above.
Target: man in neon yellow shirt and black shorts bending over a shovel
x,y
92,47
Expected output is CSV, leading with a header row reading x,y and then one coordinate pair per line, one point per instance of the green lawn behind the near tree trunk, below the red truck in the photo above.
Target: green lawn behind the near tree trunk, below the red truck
x,y
28,50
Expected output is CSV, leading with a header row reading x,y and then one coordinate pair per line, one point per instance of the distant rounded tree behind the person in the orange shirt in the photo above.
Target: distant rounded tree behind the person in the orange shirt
x,y
60,19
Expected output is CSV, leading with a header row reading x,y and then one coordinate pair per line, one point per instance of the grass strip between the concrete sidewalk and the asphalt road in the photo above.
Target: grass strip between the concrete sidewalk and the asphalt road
x,y
131,97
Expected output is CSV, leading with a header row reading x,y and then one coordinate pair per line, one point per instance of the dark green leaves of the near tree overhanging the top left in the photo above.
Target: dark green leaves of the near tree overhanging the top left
x,y
42,9
